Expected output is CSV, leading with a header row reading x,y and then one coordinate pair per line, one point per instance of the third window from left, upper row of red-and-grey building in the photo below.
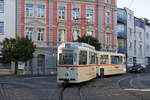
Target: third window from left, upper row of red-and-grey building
x,y
61,13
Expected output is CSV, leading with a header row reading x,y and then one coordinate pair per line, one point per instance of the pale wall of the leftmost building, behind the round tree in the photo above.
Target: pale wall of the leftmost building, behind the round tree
x,y
8,17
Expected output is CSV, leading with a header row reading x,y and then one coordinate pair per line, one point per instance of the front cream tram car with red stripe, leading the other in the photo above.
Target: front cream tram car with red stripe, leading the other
x,y
76,62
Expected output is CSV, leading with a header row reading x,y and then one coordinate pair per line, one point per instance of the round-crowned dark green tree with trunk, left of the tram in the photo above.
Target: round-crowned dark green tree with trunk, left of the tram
x,y
18,49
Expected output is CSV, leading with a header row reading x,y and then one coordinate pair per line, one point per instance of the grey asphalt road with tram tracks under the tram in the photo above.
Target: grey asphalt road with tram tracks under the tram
x,y
135,86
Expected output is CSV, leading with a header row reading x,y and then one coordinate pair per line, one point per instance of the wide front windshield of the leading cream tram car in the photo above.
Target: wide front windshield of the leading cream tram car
x,y
69,58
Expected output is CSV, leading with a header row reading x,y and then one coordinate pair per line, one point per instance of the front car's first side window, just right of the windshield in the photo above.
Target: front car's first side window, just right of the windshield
x,y
83,57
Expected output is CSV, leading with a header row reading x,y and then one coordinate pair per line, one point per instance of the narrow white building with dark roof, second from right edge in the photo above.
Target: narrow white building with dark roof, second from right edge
x,y
139,52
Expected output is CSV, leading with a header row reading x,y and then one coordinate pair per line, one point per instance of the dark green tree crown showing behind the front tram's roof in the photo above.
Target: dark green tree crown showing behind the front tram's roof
x,y
90,40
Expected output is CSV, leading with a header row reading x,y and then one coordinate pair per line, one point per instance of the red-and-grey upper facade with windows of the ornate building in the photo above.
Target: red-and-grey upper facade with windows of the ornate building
x,y
51,22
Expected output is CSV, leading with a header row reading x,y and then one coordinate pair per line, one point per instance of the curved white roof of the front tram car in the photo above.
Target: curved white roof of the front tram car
x,y
77,45
